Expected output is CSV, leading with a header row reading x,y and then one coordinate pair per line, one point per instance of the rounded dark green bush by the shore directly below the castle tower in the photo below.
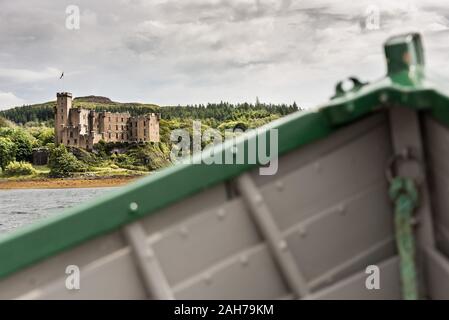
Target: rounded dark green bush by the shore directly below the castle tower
x,y
62,163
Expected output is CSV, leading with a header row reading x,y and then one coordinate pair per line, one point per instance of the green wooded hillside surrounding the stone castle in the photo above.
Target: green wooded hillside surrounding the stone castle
x,y
32,126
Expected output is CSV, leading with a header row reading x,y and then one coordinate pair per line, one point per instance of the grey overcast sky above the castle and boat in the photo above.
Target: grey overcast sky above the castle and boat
x,y
173,52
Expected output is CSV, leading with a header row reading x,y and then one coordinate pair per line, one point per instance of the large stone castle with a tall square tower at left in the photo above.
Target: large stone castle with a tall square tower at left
x,y
83,128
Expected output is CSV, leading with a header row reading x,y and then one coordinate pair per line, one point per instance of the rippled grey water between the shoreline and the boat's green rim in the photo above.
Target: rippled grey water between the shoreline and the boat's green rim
x,y
24,206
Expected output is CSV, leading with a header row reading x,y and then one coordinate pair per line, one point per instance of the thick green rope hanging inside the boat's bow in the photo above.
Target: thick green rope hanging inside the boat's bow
x,y
404,194
